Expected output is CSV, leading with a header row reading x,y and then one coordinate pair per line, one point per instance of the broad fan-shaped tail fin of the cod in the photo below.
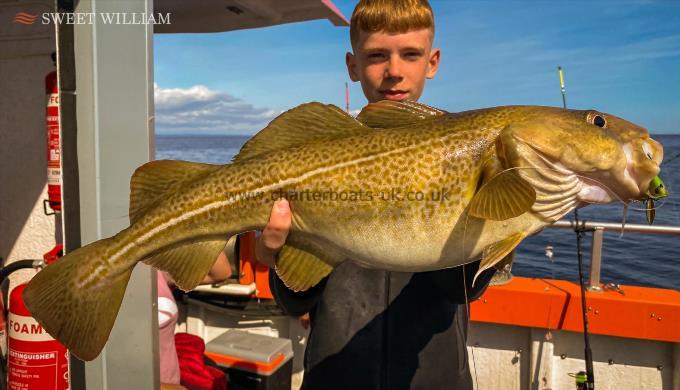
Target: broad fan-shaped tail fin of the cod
x,y
77,309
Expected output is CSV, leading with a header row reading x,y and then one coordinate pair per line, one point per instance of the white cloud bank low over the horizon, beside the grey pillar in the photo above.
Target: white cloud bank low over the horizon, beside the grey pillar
x,y
199,109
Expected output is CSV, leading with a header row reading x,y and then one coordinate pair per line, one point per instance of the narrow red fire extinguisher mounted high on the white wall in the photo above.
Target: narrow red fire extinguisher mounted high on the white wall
x,y
53,147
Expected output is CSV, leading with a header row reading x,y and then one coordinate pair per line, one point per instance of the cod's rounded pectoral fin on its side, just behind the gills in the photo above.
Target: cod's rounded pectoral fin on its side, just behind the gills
x,y
505,196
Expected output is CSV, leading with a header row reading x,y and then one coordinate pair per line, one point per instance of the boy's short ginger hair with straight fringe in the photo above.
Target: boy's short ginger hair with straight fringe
x,y
393,16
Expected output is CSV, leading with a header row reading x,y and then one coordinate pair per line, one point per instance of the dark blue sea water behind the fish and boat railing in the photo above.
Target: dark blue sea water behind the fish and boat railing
x,y
631,258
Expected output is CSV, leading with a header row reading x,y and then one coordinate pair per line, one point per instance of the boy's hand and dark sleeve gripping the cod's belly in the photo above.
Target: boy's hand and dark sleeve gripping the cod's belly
x,y
267,246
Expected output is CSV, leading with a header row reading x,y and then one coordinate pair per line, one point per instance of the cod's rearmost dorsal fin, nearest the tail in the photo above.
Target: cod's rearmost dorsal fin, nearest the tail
x,y
153,180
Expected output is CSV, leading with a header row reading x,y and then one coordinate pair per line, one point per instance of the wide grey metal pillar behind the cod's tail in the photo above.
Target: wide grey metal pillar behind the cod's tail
x,y
114,113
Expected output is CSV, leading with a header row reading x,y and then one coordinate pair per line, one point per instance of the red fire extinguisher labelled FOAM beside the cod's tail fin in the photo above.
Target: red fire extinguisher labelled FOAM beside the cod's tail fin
x,y
35,360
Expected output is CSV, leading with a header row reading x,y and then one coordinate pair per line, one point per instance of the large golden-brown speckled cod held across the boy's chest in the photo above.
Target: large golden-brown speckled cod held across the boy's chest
x,y
403,187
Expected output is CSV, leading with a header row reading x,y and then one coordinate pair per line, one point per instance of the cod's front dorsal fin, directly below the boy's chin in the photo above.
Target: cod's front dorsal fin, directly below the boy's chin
x,y
386,114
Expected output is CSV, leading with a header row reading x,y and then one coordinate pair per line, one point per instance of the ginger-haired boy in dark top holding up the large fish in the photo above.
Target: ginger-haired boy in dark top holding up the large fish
x,y
374,329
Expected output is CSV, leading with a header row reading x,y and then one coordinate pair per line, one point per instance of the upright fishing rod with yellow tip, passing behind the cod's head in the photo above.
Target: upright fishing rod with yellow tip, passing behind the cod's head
x,y
580,231
